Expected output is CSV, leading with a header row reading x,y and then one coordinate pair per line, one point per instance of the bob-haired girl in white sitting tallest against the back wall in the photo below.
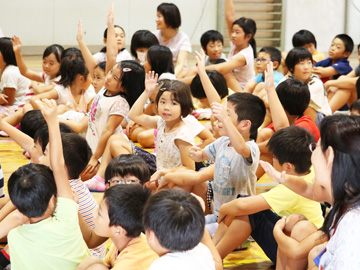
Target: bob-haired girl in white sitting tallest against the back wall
x,y
168,21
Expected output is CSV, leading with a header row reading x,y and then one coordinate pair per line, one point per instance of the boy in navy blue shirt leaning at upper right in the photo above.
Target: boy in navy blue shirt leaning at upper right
x,y
337,63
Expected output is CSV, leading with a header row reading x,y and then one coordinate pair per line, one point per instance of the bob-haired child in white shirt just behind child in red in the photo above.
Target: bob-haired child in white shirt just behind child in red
x,y
299,62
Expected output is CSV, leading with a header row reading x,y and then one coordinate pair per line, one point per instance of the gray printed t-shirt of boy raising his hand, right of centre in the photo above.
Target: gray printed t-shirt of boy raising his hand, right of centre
x,y
233,173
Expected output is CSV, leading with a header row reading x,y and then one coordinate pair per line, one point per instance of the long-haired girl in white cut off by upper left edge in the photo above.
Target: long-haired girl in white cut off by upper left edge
x,y
13,85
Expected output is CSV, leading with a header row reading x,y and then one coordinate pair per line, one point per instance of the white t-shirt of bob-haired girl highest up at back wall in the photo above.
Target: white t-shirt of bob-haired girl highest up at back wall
x,y
179,42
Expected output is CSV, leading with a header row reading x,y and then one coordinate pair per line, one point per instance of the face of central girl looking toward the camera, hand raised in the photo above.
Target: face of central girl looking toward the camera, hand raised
x,y
168,108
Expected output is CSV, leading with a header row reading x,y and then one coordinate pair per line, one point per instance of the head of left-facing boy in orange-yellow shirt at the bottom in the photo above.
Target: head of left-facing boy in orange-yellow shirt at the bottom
x,y
121,211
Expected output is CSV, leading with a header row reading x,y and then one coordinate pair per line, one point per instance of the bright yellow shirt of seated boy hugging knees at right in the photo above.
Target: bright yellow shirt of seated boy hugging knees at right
x,y
285,202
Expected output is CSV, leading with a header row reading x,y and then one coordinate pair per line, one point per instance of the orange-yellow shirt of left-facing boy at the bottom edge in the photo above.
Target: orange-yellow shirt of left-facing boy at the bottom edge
x,y
137,255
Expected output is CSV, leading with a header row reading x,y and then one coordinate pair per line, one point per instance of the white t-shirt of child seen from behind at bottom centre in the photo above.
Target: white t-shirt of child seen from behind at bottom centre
x,y
198,258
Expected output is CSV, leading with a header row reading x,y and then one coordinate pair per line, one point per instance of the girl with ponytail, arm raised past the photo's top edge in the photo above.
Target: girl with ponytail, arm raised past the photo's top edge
x,y
240,62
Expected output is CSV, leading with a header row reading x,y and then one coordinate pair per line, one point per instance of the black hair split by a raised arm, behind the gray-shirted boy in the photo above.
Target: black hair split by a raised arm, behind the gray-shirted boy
x,y
217,80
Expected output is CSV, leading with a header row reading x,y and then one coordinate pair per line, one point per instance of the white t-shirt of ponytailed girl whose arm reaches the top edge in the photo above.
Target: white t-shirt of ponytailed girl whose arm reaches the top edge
x,y
245,73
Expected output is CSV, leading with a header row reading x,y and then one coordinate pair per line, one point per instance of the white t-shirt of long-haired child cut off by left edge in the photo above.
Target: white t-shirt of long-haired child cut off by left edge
x,y
12,78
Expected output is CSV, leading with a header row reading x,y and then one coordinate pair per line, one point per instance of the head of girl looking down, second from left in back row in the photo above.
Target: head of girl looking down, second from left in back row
x,y
52,60
